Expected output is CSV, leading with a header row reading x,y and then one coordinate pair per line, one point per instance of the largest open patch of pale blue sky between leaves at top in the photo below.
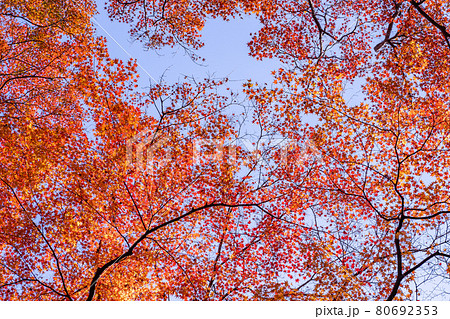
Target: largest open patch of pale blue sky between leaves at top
x,y
225,51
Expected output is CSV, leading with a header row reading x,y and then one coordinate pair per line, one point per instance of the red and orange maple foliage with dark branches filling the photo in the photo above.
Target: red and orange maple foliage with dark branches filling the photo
x,y
354,207
